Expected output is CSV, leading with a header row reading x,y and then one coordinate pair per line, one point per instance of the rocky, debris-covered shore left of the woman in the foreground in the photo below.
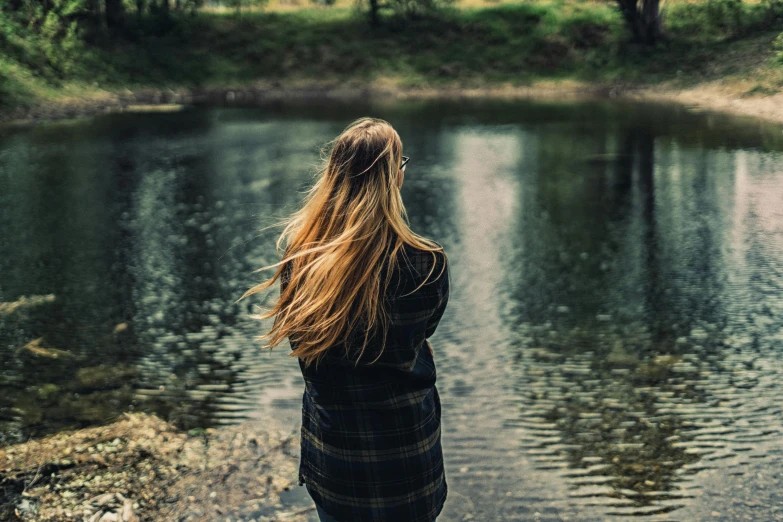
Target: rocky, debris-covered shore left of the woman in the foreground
x,y
141,468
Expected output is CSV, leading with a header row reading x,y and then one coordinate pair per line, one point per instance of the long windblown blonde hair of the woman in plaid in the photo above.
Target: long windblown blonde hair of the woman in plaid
x,y
347,233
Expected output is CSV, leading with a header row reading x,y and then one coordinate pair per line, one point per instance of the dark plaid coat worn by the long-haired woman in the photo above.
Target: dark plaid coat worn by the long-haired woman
x,y
371,436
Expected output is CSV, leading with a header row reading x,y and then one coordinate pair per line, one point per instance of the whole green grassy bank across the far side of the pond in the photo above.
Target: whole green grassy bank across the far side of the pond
x,y
474,47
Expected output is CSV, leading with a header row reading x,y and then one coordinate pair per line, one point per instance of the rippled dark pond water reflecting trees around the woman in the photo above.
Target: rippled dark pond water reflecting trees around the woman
x,y
613,346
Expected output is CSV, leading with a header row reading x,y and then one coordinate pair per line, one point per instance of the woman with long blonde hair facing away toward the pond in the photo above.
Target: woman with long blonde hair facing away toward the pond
x,y
360,293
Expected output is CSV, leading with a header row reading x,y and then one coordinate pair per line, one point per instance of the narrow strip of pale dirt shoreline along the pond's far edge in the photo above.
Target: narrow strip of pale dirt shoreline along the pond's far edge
x,y
711,96
